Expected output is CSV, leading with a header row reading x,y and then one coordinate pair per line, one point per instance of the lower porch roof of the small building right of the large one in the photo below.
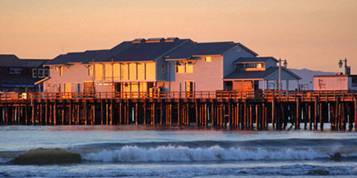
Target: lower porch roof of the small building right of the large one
x,y
246,75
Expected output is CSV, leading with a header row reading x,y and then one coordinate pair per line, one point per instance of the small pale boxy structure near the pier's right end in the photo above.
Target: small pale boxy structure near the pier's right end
x,y
330,83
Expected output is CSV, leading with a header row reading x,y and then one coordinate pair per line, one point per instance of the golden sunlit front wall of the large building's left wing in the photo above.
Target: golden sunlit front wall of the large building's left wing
x,y
103,74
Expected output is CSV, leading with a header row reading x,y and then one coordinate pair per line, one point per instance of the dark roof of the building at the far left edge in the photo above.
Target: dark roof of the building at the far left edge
x,y
9,60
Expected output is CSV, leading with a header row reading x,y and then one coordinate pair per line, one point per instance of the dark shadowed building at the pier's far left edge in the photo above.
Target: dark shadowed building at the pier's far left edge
x,y
21,74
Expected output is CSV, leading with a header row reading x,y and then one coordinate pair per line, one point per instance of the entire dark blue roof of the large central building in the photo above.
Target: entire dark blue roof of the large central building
x,y
151,49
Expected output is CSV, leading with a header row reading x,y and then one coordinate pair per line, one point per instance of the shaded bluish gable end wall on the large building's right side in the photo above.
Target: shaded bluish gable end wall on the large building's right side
x,y
231,55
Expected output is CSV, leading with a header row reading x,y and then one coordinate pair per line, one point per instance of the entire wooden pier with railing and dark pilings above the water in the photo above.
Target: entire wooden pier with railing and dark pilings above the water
x,y
268,110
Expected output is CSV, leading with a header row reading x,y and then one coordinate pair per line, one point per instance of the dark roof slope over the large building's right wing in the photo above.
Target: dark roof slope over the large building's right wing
x,y
192,49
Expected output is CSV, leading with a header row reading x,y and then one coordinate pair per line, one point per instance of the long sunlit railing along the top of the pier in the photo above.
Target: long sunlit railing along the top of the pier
x,y
266,94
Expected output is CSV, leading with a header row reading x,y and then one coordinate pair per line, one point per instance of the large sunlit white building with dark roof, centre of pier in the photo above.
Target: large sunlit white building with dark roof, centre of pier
x,y
144,65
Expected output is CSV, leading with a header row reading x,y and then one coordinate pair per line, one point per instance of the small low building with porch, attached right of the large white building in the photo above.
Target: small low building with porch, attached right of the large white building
x,y
252,74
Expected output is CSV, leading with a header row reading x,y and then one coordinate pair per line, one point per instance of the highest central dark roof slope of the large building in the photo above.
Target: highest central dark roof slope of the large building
x,y
141,51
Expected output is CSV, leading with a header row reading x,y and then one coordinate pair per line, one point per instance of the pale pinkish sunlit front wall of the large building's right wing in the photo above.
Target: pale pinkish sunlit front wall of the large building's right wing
x,y
207,76
